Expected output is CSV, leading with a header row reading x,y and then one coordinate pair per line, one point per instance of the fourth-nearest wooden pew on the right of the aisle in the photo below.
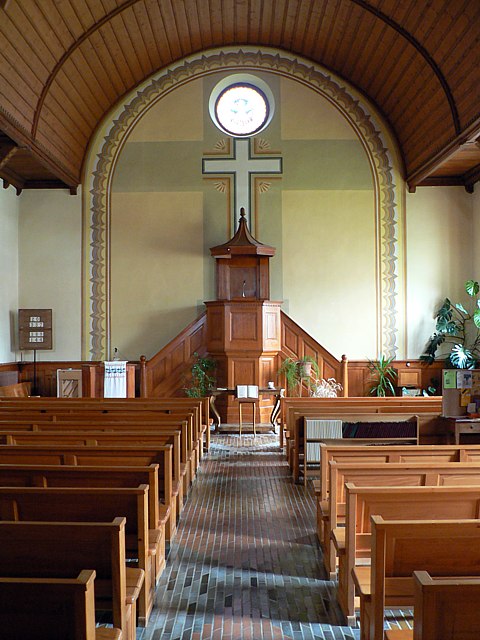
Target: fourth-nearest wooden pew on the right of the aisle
x,y
331,513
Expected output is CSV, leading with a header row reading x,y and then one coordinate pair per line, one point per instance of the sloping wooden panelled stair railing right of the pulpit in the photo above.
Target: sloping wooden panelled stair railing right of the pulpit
x,y
296,343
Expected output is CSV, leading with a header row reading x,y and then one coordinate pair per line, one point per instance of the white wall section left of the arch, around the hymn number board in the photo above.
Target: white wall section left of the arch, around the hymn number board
x,y
50,260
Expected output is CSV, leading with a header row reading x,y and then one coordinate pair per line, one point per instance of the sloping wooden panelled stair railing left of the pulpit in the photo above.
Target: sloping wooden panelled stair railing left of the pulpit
x,y
164,374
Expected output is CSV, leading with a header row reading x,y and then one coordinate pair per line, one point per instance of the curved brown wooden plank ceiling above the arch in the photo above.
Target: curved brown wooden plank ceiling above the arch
x,y
64,63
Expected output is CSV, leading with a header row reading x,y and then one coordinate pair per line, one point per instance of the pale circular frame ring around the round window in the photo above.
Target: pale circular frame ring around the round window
x,y
248,80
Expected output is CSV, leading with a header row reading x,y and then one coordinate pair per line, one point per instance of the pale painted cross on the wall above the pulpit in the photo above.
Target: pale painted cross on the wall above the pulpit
x,y
242,165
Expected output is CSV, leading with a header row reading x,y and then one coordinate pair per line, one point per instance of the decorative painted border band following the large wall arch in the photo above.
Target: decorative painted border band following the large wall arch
x,y
111,136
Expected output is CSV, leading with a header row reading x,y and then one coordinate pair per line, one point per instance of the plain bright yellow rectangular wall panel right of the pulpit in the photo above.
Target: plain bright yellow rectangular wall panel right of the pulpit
x,y
329,268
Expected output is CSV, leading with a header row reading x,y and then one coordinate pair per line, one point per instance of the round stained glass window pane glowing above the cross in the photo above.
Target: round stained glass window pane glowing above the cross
x,y
242,109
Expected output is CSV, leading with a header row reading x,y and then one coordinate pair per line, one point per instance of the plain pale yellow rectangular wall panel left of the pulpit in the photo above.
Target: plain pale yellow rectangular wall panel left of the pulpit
x,y
157,268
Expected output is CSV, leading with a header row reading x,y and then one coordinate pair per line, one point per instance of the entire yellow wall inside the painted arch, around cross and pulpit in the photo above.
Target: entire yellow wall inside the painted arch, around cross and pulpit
x,y
165,215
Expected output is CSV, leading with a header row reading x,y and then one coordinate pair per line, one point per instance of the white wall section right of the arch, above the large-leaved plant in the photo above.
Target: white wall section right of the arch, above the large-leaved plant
x,y
440,256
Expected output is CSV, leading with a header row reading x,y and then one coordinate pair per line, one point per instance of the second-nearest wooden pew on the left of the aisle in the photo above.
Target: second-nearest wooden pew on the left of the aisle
x,y
59,550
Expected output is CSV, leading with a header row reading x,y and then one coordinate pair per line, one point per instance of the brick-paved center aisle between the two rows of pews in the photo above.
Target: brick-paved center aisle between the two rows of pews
x,y
245,563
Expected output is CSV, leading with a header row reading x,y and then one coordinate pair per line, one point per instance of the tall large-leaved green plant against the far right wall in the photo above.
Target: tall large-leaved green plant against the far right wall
x,y
458,329
